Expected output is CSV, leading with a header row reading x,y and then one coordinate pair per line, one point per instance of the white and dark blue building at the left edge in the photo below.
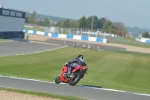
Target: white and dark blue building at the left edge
x,y
11,23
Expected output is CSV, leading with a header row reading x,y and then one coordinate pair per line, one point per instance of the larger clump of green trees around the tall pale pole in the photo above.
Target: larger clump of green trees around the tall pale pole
x,y
94,23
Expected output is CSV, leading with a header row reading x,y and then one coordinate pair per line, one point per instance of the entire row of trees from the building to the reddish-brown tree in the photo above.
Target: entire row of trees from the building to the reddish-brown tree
x,y
90,23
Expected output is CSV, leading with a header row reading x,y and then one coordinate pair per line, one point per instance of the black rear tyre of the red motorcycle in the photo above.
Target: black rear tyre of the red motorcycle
x,y
73,81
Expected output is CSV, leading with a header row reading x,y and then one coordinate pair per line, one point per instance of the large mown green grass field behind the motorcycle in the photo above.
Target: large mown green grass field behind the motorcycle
x,y
107,69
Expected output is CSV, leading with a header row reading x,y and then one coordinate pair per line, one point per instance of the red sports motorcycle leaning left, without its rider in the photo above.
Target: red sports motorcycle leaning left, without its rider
x,y
75,76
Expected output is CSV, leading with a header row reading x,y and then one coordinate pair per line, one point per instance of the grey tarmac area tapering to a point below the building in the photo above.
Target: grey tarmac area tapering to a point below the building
x,y
20,47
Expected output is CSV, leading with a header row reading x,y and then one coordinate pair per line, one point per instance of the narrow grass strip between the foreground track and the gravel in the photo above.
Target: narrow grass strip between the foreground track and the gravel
x,y
41,94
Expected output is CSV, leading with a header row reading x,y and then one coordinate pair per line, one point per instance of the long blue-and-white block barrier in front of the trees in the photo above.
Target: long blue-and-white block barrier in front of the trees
x,y
67,36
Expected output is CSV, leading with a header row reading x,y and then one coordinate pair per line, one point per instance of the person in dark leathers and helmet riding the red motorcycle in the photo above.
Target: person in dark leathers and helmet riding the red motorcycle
x,y
75,63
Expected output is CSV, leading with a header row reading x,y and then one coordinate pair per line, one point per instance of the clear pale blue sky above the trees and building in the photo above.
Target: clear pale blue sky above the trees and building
x,y
133,13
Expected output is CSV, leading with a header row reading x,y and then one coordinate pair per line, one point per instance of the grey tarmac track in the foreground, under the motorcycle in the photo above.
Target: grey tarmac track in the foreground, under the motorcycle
x,y
89,93
